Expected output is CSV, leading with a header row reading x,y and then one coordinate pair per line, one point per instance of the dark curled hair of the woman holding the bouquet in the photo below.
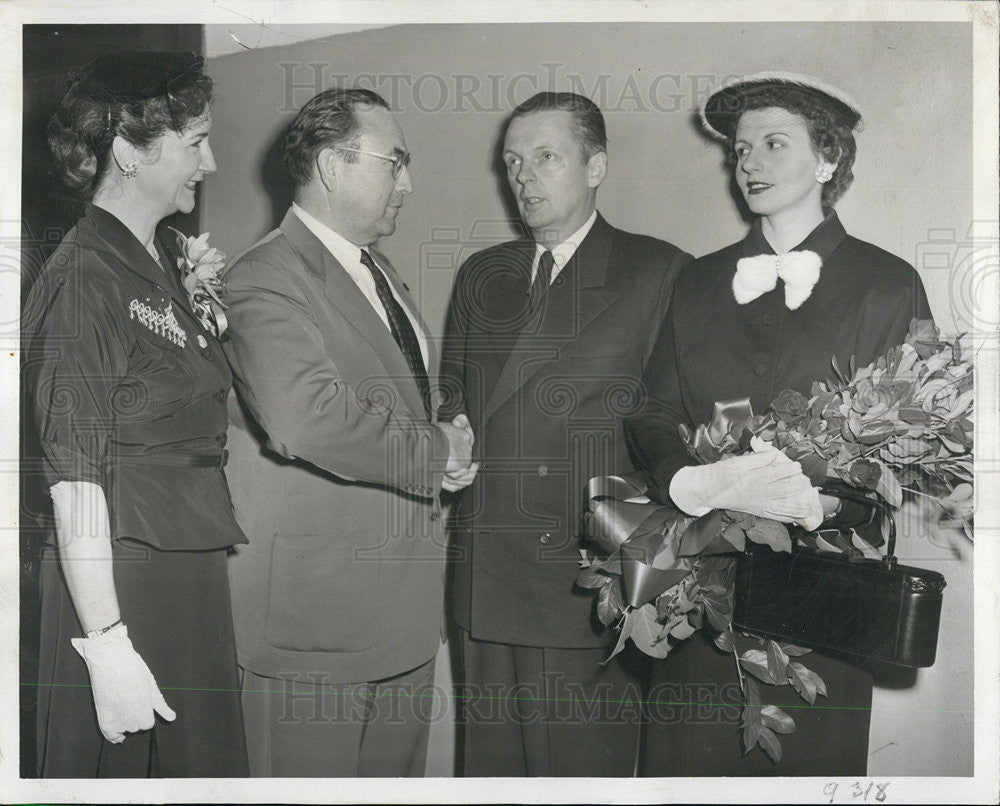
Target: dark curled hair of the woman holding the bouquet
x,y
831,137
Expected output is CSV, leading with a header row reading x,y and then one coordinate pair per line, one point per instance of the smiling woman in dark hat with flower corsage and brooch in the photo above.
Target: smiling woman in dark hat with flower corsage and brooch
x,y
138,671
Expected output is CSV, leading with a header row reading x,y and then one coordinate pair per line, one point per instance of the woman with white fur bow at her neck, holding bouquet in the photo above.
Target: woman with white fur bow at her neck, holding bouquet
x,y
751,320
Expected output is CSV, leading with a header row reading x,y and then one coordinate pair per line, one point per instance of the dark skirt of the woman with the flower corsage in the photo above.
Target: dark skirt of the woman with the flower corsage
x,y
177,607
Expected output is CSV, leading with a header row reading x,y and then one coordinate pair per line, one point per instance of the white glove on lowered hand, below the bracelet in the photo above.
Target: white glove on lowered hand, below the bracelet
x,y
125,693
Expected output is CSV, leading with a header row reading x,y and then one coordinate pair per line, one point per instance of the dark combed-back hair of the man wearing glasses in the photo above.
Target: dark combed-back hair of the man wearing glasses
x,y
327,119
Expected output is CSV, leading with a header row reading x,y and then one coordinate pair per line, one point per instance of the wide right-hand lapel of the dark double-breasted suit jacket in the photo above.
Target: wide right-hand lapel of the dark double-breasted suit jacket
x,y
576,297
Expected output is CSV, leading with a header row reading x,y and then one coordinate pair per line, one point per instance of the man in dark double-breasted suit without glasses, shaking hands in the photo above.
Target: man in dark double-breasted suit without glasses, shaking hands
x,y
547,340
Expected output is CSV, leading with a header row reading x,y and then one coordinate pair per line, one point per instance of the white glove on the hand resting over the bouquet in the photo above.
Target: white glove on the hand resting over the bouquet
x,y
766,483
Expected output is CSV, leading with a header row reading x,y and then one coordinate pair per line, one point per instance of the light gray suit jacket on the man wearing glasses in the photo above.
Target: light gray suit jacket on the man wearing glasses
x,y
331,456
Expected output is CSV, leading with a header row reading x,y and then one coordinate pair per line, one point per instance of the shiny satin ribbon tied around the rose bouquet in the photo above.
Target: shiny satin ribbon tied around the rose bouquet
x,y
657,542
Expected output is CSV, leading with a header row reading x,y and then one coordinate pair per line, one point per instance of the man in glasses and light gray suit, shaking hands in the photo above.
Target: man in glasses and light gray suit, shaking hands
x,y
337,461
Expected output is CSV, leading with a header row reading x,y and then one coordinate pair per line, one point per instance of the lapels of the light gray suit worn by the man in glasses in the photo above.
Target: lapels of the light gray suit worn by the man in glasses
x,y
343,294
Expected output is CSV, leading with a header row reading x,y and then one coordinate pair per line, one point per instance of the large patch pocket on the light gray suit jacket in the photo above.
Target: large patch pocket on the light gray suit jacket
x,y
321,596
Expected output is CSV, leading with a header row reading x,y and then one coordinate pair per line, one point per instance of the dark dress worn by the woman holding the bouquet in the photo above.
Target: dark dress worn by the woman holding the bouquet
x,y
712,348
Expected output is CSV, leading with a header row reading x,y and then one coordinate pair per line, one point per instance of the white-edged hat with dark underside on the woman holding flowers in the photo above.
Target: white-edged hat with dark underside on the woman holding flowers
x,y
721,110
